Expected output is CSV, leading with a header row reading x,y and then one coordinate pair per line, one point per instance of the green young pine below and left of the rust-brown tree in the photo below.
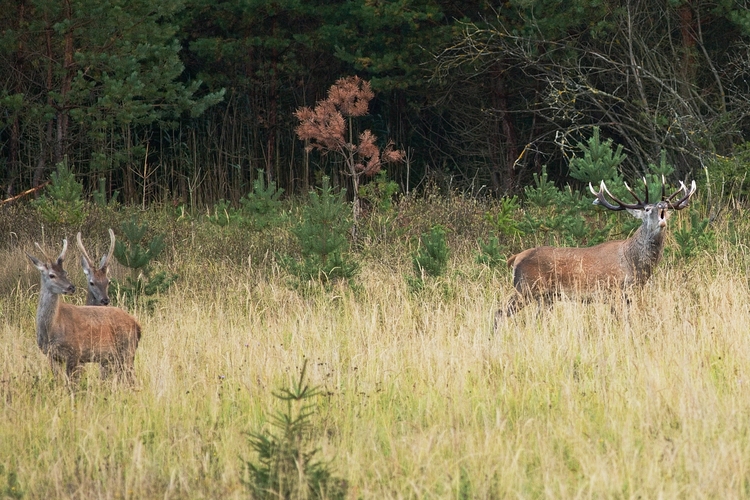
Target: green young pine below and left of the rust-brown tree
x,y
323,237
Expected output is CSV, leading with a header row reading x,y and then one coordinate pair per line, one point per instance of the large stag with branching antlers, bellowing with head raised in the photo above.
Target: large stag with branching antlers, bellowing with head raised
x,y
541,273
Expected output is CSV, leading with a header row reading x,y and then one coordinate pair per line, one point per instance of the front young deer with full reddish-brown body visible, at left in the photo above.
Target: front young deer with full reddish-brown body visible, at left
x,y
71,335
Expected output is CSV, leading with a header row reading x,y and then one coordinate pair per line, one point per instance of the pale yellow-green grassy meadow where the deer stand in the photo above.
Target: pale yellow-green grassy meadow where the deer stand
x,y
419,398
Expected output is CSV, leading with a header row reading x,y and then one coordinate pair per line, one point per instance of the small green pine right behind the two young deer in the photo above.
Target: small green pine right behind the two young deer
x,y
134,252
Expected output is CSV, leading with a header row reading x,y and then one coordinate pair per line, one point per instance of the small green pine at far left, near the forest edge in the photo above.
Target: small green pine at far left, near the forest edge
x,y
62,202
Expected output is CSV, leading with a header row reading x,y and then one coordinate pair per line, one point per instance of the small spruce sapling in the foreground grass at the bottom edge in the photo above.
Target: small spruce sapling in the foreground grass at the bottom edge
x,y
287,464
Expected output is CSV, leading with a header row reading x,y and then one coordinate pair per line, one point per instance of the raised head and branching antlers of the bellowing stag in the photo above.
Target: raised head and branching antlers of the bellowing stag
x,y
653,215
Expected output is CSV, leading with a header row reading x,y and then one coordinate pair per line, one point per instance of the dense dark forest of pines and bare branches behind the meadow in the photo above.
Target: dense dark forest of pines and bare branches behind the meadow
x,y
185,101
